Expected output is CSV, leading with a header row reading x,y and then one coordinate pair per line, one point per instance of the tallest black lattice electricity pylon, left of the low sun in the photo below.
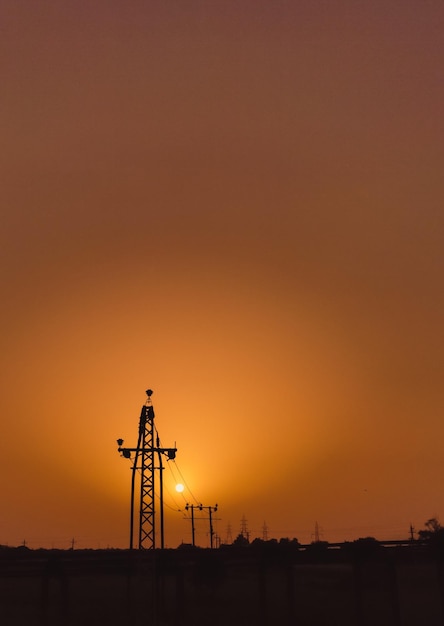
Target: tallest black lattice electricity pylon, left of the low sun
x,y
144,460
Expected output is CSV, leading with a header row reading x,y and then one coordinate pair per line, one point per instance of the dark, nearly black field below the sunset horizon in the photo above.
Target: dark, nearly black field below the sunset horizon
x,y
224,587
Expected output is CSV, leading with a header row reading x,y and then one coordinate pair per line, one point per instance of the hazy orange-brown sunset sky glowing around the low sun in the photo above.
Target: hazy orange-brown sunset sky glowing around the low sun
x,y
240,205
